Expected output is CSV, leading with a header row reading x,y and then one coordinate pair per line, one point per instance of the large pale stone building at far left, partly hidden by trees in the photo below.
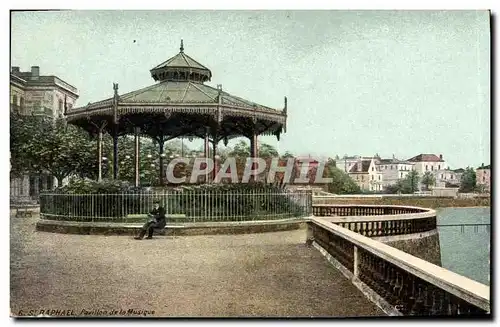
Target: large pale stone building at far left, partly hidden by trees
x,y
35,94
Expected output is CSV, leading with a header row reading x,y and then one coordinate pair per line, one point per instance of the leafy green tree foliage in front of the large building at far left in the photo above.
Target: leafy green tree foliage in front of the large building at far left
x,y
42,144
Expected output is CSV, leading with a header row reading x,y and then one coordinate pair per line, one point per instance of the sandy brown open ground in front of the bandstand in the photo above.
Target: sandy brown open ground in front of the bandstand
x,y
269,274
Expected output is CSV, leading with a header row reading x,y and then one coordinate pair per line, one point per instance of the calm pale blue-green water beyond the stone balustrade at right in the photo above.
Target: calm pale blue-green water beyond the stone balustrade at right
x,y
465,250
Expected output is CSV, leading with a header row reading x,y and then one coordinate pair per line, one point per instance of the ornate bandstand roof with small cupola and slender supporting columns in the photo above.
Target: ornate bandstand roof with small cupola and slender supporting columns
x,y
179,104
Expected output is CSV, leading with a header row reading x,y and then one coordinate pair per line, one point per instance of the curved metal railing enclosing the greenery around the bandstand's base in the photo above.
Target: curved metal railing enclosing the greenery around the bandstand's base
x,y
181,206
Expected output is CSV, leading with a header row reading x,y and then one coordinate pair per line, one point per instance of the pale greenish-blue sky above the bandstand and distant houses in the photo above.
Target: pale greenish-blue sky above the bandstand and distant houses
x,y
396,83
